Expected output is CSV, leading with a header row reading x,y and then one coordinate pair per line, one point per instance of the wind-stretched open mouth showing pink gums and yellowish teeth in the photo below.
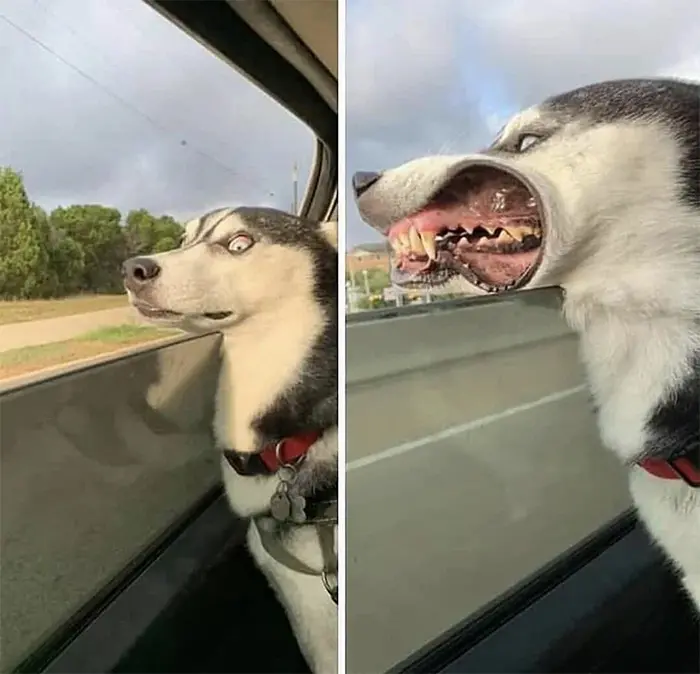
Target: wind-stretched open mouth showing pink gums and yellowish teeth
x,y
484,225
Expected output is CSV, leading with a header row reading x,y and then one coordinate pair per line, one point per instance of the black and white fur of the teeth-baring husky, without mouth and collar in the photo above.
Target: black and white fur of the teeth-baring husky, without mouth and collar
x,y
618,167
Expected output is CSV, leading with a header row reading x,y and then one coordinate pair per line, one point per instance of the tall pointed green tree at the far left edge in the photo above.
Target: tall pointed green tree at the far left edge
x,y
24,259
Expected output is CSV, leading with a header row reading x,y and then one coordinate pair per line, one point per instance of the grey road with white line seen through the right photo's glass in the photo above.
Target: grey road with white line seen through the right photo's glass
x,y
464,475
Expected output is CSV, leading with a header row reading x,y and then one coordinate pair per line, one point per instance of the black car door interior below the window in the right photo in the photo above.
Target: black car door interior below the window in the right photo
x,y
569,615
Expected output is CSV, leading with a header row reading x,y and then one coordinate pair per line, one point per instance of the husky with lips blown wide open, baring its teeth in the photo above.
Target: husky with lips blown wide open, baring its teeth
x,y
597,191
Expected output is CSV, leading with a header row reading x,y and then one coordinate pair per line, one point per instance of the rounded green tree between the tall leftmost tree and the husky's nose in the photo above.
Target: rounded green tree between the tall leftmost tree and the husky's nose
x,y
96,229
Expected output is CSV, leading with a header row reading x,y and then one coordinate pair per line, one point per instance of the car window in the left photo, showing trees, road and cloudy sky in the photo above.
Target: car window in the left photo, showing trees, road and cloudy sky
x,y
121,128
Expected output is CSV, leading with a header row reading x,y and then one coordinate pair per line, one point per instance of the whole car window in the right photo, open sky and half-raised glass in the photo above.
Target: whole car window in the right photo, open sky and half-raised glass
x,y
473,452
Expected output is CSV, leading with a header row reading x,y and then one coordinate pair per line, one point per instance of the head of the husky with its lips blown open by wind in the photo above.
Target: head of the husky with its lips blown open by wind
x,y
596,190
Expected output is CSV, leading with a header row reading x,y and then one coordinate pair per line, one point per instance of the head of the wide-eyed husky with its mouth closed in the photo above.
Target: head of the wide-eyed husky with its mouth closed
x,y
234,264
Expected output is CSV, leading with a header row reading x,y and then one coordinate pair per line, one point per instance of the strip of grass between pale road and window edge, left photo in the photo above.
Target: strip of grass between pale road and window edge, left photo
x,y
32,358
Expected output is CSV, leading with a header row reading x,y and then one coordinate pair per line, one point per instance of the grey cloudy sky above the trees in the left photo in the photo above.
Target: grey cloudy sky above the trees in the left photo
x,y
130,111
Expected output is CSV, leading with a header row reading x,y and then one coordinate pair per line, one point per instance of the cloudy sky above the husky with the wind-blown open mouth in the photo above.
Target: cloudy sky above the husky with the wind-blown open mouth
x,y
443,76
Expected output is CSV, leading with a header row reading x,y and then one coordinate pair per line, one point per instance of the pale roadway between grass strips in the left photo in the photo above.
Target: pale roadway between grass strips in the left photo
x,y
32,333
